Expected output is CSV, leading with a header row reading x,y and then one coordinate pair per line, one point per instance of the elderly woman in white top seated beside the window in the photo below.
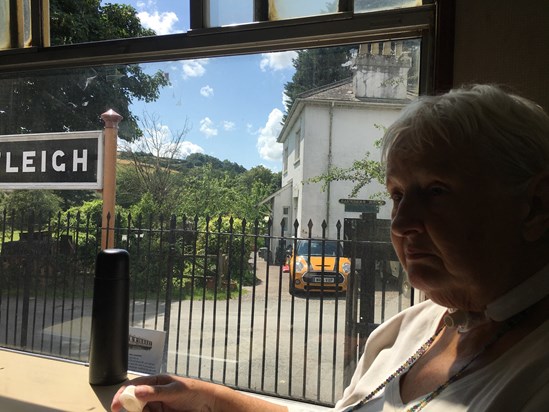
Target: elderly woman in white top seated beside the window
x,y
468,175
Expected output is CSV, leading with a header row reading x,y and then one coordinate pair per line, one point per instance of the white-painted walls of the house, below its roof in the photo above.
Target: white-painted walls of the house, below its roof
x,y
352,129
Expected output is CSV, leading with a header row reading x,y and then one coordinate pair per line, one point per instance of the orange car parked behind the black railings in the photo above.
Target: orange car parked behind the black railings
x,y
318,265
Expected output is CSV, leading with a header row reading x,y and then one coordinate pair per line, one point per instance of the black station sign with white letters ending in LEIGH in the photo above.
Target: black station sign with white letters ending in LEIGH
x,y
72,160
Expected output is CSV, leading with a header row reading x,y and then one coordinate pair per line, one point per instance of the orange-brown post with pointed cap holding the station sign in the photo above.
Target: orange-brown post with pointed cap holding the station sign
x,y
111,119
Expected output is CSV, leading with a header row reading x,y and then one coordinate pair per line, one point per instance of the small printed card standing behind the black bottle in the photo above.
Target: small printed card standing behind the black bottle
x,y
146,348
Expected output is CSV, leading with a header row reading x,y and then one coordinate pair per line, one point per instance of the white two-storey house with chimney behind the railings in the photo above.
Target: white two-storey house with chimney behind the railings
x,y
334,126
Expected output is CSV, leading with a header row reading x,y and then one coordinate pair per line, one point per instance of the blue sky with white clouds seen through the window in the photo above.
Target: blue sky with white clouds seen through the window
x,y
232,106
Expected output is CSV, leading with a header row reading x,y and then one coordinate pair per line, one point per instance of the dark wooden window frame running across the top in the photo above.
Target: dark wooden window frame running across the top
x,y
432,22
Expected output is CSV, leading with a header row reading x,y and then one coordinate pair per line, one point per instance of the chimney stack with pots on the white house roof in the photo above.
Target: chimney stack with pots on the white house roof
x,y
381,71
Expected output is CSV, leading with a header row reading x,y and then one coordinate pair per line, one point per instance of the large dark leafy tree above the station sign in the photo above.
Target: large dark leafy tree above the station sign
x,y
81,95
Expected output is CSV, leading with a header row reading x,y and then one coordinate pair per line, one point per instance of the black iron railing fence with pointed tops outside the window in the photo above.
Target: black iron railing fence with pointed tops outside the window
x,y
207,283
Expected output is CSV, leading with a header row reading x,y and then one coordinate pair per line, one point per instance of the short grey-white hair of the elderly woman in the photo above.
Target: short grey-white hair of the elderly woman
x,y
510,132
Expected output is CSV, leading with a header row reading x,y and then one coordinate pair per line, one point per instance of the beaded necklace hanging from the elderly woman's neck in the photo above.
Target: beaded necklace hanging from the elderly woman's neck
x,y
421,351
